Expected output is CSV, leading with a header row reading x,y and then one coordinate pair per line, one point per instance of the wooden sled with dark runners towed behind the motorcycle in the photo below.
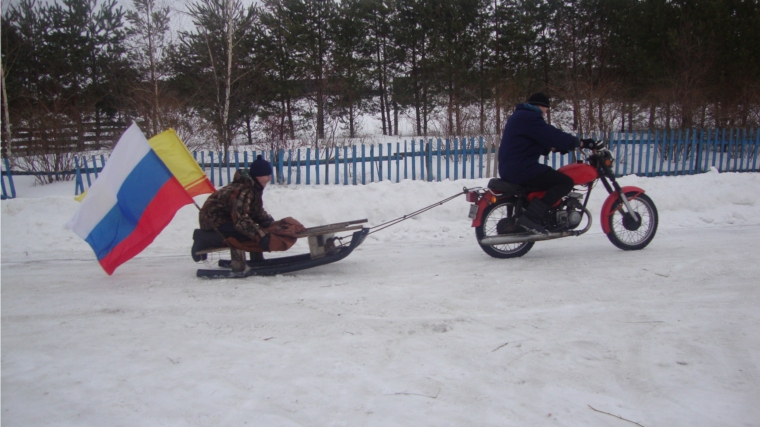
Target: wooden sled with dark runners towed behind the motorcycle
x,y
322,250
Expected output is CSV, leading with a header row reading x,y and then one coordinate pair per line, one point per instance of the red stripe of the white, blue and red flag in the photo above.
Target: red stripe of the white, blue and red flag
x,y
157,215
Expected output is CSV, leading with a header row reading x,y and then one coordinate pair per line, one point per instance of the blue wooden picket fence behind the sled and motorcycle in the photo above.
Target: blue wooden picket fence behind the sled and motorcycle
x,y
643,153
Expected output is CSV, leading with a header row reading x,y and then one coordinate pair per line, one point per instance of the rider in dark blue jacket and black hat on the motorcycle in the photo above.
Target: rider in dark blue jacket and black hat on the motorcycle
x,y
526,137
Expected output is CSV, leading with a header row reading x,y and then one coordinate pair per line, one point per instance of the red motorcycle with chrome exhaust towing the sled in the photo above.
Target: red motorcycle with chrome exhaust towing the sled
x,y
629,217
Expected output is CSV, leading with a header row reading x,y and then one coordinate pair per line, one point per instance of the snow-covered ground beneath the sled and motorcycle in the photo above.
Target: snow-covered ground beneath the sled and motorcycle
x,y
418,327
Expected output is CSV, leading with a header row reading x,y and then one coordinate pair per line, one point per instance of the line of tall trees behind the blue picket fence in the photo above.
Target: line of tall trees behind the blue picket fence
x,y
304,72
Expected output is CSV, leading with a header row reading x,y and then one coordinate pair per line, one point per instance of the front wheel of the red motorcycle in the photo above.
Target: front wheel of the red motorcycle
x,y
629,233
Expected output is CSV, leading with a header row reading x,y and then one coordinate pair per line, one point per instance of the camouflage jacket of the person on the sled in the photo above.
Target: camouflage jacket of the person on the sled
x,y
238,202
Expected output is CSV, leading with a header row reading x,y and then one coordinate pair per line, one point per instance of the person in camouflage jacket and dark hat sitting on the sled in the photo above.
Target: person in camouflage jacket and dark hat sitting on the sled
x,y
235,216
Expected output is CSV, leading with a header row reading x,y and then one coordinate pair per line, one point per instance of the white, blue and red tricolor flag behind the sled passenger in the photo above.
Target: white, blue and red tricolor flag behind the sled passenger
x,y
132,200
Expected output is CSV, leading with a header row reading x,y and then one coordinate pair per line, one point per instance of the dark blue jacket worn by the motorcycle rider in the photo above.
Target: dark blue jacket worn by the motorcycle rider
x,y
526,137
